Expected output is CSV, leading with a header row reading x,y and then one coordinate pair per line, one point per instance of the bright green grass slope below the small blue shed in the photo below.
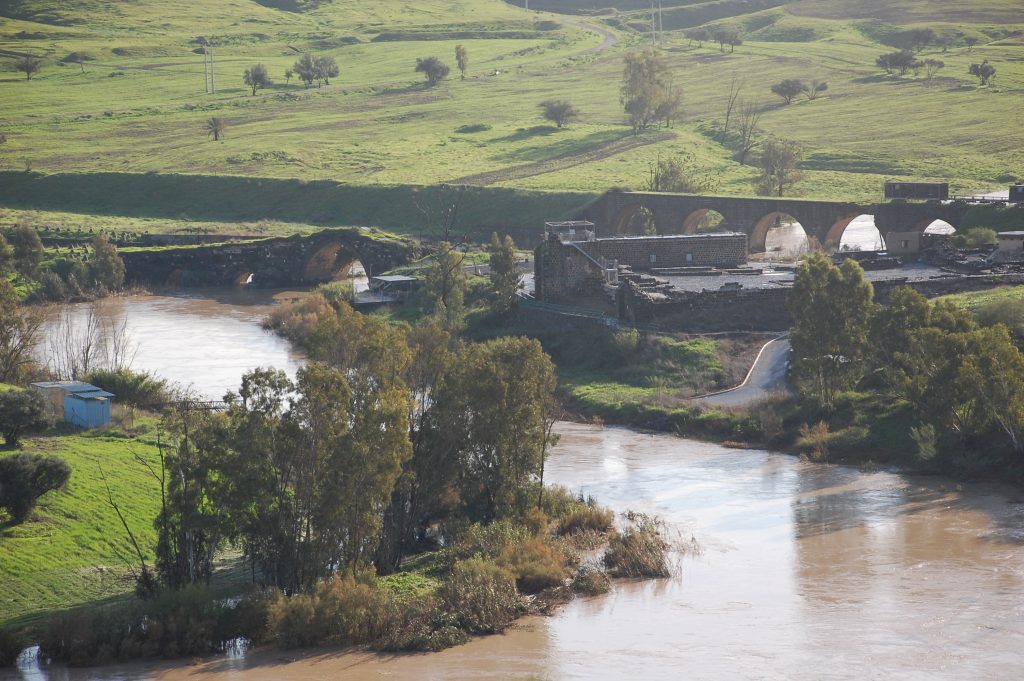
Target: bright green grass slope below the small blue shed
x,y
69,552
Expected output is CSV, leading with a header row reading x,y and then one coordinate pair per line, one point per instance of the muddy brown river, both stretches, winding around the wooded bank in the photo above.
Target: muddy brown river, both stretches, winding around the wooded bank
x,y
803,571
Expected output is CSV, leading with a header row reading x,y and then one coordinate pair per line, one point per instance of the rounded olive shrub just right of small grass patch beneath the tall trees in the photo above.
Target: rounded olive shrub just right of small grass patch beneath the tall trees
x,y
481,597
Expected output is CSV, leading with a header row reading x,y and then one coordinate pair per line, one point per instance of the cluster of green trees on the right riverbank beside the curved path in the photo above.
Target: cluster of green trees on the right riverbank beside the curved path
x,y
964,384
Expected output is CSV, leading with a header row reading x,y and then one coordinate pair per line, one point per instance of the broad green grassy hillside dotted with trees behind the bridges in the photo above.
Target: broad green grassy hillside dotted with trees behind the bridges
x,y
140,106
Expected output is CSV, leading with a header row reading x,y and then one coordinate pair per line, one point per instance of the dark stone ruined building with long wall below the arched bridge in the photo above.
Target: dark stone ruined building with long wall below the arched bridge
x,y
566,270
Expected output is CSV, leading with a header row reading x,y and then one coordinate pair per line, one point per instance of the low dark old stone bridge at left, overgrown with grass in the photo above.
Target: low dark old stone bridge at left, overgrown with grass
x,y
296,261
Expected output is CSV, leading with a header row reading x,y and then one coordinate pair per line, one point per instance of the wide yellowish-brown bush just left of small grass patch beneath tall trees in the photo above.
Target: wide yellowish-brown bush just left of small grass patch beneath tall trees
x,y
340,612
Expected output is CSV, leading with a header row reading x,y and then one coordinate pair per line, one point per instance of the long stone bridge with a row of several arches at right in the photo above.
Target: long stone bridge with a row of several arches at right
x,y
621,212
